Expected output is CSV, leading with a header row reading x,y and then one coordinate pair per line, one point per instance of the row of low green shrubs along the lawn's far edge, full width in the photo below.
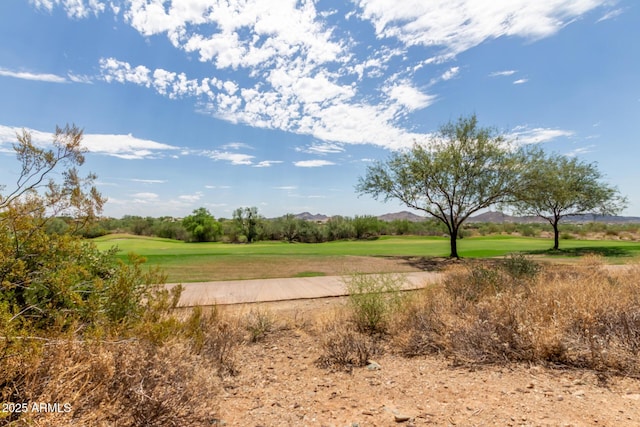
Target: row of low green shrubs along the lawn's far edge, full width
x,y
291,229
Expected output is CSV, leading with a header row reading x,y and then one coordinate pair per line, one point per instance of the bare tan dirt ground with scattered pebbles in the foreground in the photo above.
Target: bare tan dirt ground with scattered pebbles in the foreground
x,y
279,384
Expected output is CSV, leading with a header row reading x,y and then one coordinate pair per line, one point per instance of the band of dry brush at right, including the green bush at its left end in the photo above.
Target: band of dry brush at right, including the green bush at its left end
x,y
585,316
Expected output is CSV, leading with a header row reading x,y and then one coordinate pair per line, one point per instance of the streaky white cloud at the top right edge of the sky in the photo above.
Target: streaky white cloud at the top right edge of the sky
x,y
456,26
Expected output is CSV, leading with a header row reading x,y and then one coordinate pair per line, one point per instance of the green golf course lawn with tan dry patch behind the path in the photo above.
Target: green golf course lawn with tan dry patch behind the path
x,y
219,261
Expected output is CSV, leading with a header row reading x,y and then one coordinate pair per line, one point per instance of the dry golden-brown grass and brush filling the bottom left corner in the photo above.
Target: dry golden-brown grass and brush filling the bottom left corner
x,y
165,374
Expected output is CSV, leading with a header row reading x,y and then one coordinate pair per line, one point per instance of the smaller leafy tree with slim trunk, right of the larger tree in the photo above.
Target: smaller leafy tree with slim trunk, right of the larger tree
x,y
555,186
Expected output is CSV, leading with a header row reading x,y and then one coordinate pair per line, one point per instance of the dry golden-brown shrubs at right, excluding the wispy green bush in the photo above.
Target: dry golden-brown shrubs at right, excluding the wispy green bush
x,y
583,315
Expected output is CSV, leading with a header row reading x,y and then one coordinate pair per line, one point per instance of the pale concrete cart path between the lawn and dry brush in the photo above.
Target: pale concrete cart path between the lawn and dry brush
x,y
263,290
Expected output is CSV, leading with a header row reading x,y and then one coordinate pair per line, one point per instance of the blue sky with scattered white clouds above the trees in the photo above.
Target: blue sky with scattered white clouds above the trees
x,y
283,104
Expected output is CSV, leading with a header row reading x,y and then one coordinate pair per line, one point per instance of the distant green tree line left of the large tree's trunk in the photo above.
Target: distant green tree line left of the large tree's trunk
x,y
246,226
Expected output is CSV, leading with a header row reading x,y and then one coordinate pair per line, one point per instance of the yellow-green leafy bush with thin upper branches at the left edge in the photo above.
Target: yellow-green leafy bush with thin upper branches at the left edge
x,y
49,277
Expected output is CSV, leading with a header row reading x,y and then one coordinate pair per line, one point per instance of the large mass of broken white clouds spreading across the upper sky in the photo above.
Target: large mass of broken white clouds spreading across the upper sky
x,y
290,70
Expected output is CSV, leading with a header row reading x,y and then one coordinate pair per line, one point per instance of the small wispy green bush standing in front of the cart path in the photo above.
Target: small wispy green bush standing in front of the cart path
x,y
372,299
